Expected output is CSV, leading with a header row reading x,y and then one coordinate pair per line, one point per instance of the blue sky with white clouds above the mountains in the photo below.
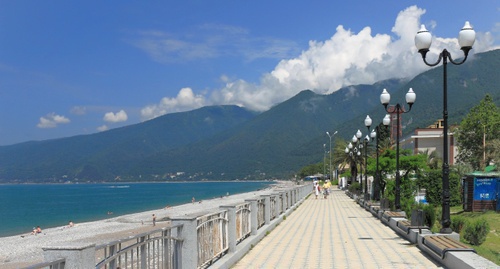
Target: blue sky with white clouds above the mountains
x,y
80,67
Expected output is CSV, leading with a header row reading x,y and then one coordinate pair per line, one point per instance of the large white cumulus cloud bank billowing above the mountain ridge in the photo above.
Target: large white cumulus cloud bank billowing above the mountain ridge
x,y
347,58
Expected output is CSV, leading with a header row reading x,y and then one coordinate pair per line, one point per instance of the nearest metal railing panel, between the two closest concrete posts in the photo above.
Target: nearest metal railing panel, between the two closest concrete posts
x,y
156,249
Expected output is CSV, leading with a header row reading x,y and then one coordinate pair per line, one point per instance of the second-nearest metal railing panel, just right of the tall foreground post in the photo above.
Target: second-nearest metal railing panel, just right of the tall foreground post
x,y
212,233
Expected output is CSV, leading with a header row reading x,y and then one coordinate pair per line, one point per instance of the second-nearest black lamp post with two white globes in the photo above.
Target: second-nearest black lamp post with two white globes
x,y
385,97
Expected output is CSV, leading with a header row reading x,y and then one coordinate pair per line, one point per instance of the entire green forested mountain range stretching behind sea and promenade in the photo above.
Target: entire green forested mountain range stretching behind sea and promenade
x,y
228,142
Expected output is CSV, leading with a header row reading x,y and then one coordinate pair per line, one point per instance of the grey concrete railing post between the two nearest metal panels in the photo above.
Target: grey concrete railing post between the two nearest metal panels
x,y
189,234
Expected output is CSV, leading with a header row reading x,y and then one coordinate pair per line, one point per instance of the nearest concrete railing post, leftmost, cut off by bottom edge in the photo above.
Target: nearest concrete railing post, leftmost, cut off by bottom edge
x,y
77,256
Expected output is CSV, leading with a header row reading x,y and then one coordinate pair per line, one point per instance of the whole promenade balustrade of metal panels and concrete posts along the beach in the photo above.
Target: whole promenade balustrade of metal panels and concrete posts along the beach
x,y
203,239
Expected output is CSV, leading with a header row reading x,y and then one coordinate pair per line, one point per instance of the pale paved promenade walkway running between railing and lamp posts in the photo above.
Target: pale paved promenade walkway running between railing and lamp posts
x,y
334,233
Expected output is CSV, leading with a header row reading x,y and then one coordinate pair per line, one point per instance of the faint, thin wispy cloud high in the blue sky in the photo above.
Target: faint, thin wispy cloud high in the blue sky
x,y
210,41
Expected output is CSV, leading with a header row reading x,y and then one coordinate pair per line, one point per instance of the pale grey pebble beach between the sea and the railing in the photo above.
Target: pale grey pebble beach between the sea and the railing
x,y
26,249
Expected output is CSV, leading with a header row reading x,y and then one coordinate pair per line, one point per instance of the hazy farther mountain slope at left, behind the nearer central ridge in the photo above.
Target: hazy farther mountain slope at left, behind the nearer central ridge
x,y
103,156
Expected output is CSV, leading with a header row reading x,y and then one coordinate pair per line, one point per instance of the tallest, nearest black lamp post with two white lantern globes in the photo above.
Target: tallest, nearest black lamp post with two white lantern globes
x,y
423,40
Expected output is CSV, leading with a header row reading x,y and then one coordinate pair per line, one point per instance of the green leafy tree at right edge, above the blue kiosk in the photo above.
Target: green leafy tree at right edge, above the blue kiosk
x,y
478,134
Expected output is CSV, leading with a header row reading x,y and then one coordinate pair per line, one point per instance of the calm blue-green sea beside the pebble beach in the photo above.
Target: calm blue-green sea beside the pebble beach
x,y
23,207
